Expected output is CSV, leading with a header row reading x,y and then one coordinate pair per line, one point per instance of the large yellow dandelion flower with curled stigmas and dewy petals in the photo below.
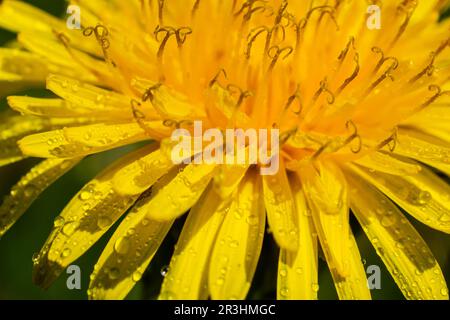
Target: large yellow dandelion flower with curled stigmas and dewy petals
x,y
362,114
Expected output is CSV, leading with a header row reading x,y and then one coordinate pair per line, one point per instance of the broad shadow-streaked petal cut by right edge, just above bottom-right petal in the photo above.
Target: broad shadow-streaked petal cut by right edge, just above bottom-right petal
x,y
424,195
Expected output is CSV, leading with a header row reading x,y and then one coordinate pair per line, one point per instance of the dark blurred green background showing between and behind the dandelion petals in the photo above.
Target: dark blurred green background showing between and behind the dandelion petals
x,y
29,233
